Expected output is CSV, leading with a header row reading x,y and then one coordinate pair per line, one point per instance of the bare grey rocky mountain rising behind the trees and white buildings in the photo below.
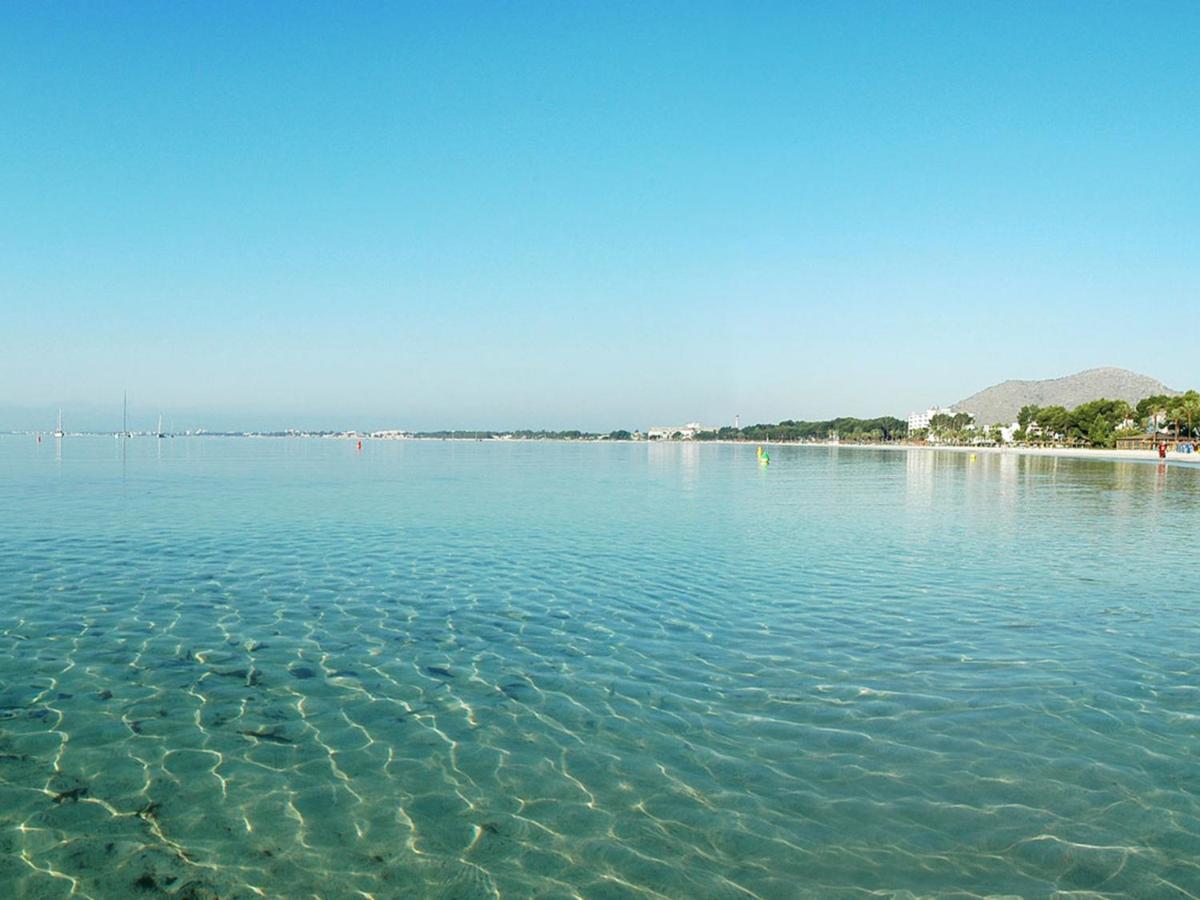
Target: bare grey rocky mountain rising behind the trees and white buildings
x,y
1003,403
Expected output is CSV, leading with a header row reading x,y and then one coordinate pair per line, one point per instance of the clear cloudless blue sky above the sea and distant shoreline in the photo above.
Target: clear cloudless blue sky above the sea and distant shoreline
x,y
586,215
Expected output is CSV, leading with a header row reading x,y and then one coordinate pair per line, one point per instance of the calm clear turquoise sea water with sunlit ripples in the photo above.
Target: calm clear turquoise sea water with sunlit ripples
x,y
283,668
